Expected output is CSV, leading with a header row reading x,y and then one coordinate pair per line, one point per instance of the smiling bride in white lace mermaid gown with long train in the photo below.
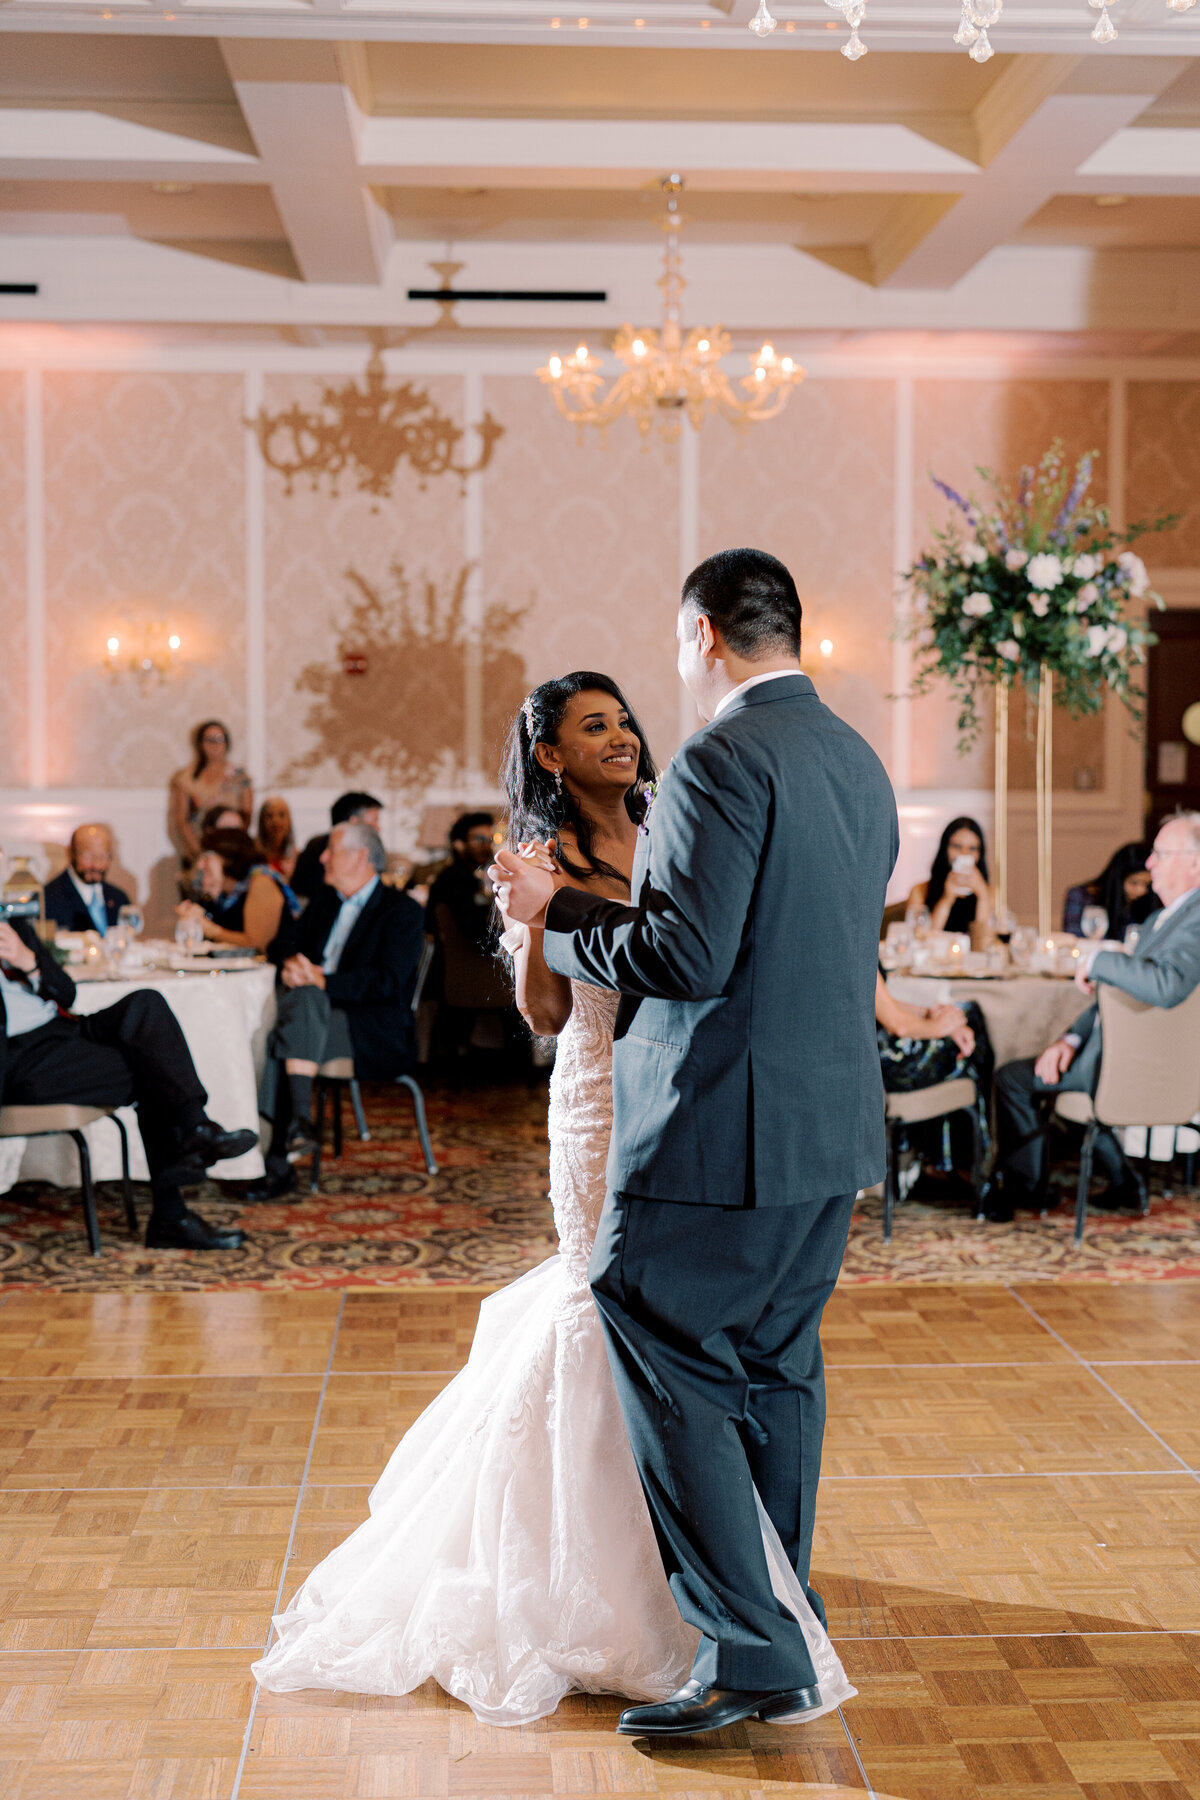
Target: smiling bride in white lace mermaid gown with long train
x,y
508,1552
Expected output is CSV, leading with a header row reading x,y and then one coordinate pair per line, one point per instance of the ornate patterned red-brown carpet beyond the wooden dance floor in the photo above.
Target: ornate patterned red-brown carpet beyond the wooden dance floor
x,y
381,1221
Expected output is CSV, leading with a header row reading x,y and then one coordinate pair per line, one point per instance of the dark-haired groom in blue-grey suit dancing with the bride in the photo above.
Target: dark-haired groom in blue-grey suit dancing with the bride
x,y
748,1113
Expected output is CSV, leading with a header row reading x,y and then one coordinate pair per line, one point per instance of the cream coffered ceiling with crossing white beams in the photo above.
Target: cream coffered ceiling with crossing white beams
x,y
274,159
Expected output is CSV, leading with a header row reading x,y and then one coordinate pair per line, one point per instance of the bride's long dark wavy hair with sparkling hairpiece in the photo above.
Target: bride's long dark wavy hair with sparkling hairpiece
x,y
537,809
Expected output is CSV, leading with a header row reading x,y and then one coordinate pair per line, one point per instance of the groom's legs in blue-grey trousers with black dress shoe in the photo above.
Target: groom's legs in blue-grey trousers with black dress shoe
x,y
722,1387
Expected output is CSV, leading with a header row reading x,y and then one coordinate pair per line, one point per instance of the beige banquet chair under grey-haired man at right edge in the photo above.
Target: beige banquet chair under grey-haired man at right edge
x,y
1149,1075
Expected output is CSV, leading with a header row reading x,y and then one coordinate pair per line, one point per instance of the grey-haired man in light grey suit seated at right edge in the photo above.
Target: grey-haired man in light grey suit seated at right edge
x,y
1161,971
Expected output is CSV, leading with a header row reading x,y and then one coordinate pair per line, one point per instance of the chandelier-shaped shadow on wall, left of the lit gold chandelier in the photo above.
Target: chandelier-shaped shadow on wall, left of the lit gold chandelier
x,y
368,433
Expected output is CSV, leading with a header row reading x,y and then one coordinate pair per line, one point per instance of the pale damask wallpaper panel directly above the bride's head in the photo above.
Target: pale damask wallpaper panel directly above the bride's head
x,y
584,541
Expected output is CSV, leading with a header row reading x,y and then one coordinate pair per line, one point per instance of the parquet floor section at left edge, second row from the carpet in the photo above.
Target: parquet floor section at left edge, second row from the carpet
x,y
217,1432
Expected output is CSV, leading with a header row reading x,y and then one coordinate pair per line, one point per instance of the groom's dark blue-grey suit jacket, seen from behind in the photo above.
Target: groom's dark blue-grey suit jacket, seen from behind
x,y
746,1065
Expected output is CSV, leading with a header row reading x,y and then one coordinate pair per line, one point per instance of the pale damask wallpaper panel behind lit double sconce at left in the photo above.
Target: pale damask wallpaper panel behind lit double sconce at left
x,y
145,519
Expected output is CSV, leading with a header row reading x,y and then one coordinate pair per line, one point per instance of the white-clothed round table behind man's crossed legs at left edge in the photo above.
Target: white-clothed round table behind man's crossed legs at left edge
x,y
226,1016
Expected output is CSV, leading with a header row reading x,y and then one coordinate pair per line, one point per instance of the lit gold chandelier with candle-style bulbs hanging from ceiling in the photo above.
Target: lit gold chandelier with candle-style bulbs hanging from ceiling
x,y
668,373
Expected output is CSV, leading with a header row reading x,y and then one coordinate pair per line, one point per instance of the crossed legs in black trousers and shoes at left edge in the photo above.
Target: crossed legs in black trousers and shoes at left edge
x,y
136,1054
